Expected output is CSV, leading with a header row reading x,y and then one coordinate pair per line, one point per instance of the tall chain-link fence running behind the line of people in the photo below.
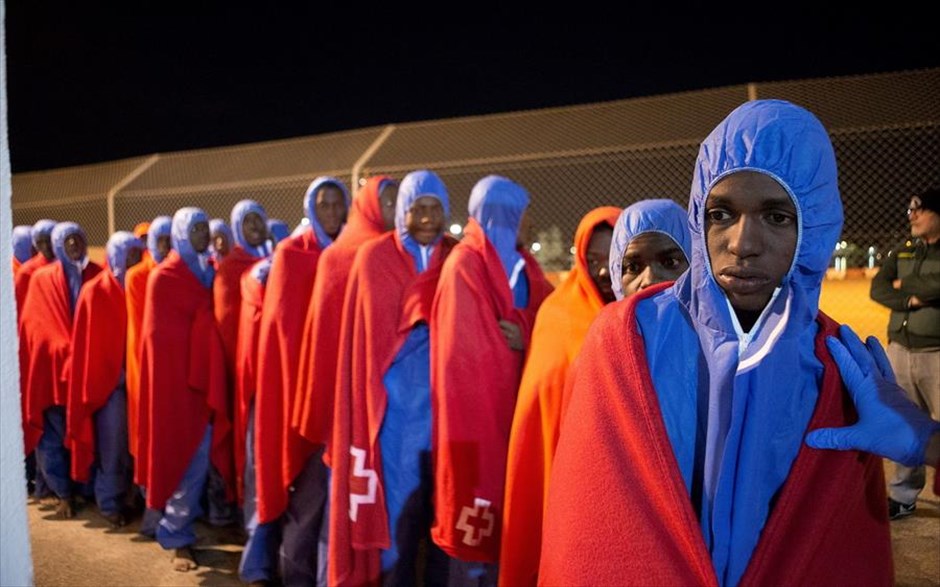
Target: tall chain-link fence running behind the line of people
x,y
885,128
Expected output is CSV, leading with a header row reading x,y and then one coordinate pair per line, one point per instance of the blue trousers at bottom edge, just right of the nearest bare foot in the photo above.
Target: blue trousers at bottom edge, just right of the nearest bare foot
x,y
259,558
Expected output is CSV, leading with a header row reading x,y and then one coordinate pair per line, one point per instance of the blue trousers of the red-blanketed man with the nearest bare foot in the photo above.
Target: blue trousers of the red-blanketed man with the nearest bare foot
x,y
184,507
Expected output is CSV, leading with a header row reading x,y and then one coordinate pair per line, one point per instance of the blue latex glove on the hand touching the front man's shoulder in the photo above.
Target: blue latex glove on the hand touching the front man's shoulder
x,y
889,424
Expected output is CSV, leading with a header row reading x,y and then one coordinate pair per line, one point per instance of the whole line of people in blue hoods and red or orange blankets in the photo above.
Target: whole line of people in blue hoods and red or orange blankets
x,y
380,403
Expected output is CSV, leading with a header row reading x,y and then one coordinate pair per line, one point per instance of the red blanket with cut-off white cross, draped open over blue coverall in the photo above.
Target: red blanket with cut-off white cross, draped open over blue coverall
x,y
385,298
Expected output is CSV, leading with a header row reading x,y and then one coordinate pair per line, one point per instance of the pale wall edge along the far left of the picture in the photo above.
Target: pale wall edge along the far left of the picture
x,y
16,563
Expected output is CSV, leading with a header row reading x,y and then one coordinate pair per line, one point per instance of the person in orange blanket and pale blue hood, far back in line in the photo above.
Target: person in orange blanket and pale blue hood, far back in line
x,y
135,291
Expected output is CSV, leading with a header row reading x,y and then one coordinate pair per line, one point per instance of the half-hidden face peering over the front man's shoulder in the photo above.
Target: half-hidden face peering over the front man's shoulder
x,y
651,258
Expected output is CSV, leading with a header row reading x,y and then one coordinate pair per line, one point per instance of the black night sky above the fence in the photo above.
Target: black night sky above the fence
x,y
89,85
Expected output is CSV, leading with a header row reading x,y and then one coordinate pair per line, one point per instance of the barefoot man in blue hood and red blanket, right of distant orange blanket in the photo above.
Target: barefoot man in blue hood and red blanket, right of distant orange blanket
x,y
185,424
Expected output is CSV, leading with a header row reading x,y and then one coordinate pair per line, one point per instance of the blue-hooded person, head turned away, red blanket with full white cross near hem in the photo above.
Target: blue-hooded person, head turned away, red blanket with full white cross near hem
x,y
487,298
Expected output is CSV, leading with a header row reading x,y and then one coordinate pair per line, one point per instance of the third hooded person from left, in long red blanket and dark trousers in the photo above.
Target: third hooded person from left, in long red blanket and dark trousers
x,y
45,332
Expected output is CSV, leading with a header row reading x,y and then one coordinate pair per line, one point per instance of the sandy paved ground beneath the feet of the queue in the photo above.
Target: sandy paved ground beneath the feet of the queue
x,y
83,552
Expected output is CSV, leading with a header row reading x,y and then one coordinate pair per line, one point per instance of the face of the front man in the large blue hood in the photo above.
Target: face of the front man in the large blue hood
x,y
750,232
